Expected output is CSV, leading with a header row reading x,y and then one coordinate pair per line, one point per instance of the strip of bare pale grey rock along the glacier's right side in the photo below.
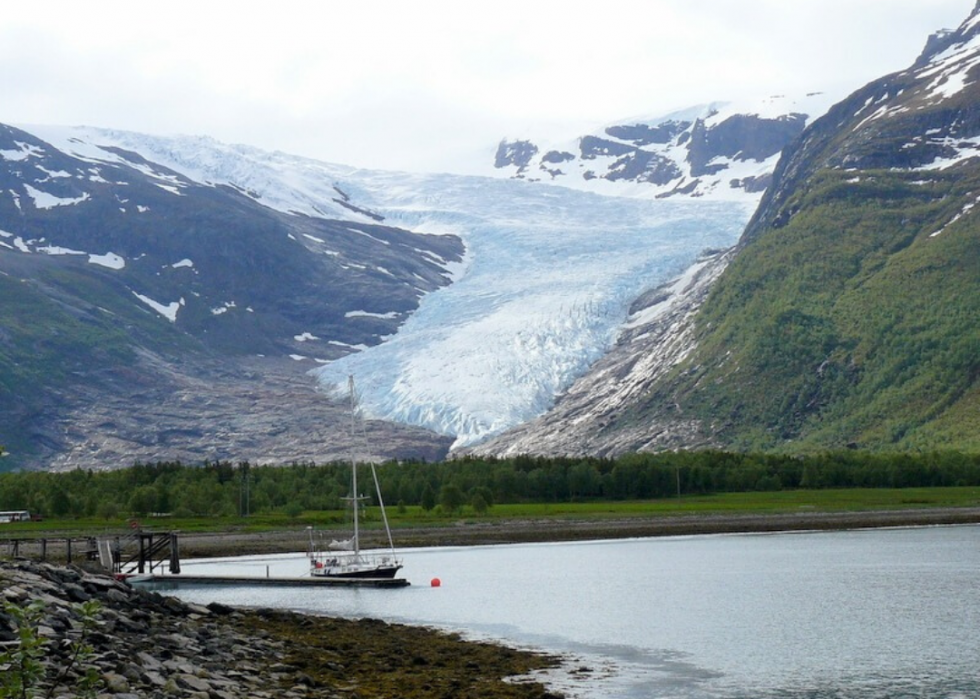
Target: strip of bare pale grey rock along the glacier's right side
x,y
596,415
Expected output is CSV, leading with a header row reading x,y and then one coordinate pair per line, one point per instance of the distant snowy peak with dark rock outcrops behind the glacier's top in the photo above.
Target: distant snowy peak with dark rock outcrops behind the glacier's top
x,y
722,150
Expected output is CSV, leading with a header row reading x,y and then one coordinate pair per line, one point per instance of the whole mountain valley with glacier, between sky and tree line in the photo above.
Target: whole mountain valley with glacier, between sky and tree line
x,y
784,275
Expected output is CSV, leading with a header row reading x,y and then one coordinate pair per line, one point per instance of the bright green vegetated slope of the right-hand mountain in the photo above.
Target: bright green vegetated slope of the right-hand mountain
x,y
851,324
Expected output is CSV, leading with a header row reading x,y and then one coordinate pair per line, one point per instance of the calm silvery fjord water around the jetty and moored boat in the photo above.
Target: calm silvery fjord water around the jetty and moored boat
x,y
869,614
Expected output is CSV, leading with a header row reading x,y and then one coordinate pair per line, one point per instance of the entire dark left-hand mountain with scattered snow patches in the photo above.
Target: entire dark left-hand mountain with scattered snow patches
x,y
147,313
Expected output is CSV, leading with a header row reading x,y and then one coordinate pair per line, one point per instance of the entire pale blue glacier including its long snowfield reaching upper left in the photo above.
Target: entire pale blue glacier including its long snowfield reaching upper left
x,y
543,292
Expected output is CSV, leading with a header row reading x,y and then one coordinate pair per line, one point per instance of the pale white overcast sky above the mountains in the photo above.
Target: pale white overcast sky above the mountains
x,y
425,85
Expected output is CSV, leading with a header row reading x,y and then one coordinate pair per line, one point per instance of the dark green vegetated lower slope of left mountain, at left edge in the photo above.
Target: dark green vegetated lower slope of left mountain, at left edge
x,y
63,329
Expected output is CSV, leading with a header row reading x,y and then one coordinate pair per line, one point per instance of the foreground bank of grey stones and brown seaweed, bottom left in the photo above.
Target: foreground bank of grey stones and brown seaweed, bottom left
x,y
144,644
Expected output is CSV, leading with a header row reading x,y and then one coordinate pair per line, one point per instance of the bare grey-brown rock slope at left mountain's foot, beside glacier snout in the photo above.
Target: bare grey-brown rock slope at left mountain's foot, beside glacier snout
x,y
263,410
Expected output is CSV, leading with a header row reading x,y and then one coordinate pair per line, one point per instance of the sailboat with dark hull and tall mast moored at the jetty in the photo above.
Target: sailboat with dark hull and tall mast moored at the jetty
x,y
344,559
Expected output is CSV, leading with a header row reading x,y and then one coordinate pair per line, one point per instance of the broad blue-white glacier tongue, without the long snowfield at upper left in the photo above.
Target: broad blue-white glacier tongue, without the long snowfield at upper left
x,y
550,277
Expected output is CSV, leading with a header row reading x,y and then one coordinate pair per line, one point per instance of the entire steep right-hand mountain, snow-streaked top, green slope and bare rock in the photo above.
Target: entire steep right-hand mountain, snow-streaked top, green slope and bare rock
x,y
847,316
